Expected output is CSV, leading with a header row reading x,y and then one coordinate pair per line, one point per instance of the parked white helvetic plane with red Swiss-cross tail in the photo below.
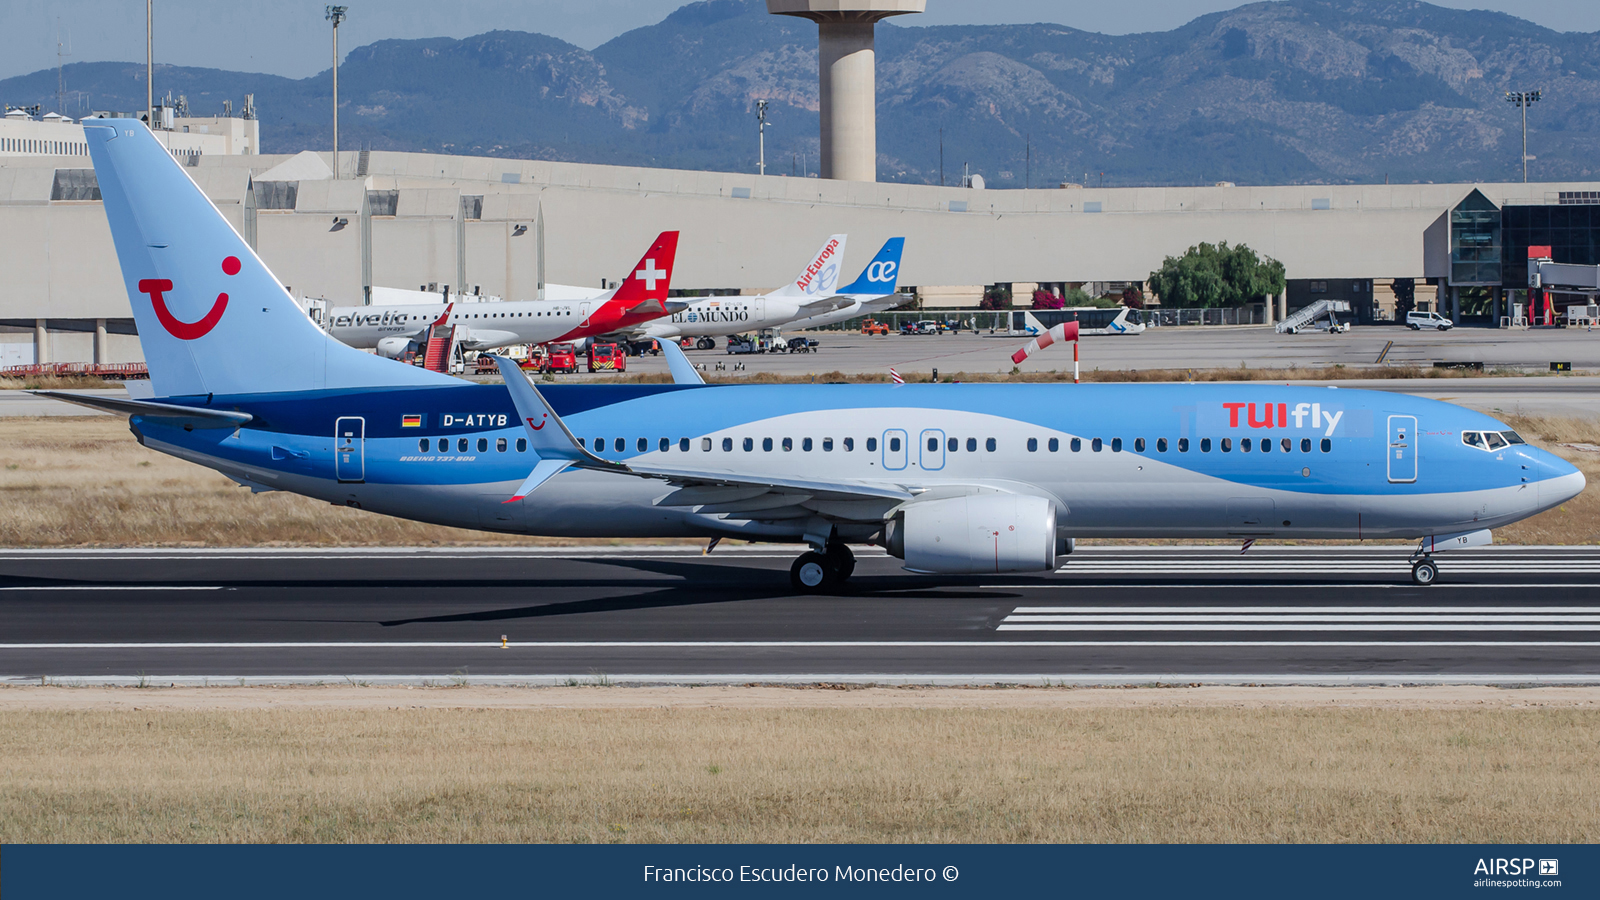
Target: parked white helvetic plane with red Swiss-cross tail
x,y
642,297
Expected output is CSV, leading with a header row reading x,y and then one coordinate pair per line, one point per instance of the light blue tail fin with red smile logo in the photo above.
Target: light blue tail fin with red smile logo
x,y
212,318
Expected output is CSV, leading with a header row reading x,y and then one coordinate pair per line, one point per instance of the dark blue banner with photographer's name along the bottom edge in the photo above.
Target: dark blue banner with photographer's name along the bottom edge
x,y
433,872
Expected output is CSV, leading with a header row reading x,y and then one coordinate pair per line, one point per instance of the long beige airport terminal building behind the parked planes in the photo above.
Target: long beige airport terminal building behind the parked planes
x,y
482,227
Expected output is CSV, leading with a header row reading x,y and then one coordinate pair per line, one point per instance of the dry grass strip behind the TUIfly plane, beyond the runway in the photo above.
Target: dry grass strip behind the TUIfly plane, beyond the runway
x,y
87,483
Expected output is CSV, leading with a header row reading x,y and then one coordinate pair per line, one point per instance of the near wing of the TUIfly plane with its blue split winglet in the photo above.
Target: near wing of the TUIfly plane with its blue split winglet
x,y
559,449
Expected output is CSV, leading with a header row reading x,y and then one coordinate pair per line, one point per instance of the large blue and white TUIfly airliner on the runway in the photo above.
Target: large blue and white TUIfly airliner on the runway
x,y
950,478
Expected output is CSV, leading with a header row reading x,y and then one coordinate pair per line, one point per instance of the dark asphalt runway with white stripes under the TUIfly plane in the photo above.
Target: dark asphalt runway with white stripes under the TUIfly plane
x,y
1110,616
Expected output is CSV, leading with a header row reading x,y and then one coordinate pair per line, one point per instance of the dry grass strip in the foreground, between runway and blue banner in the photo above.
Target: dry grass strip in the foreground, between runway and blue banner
x,y
807,771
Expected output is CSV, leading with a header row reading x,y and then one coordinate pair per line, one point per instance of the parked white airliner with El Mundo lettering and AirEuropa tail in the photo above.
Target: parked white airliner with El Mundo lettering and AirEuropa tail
x,y
810,294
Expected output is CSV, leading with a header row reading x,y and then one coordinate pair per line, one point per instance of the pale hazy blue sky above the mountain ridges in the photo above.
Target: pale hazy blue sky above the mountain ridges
x,y
290,38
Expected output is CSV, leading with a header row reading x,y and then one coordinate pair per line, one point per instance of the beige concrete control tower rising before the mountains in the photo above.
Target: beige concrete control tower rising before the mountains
x,y
847,79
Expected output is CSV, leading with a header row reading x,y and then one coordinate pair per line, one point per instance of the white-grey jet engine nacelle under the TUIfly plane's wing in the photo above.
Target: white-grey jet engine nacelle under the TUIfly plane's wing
x,y
978,534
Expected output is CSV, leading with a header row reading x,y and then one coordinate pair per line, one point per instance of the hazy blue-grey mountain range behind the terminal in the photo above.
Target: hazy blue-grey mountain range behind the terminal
x,y
1278,92
